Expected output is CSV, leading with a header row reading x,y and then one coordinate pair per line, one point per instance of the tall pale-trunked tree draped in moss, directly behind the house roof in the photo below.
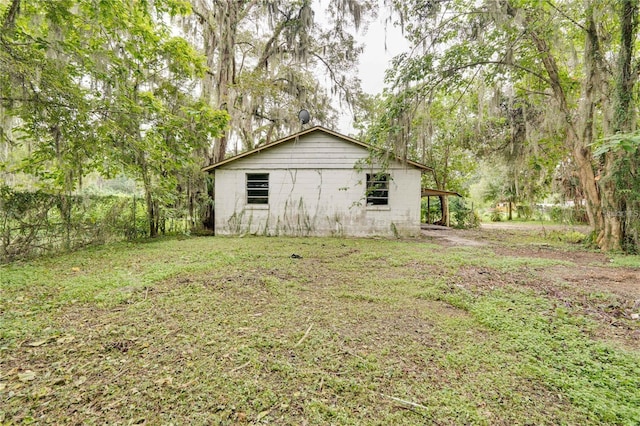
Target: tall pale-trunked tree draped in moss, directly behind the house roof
x,y
263,59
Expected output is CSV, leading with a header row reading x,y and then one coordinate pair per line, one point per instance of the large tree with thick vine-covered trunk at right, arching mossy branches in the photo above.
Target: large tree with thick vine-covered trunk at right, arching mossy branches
x,y
545,52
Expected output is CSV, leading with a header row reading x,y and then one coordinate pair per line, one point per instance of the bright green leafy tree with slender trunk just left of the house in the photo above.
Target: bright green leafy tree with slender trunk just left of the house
x,y
150,123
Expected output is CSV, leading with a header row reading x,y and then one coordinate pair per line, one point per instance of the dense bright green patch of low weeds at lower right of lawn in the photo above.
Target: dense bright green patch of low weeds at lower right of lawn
x,y
557,353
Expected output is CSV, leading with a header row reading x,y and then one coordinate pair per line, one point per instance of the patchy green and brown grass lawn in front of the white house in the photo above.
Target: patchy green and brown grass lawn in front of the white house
x,y
217,330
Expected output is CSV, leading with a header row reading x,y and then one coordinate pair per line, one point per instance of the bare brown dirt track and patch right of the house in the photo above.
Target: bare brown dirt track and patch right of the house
x,y
586,280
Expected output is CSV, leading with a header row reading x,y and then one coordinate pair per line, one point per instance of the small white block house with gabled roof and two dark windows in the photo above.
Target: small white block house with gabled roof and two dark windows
x,y
317,183
